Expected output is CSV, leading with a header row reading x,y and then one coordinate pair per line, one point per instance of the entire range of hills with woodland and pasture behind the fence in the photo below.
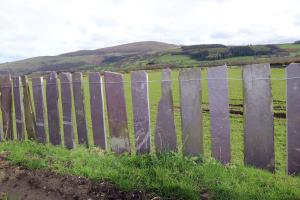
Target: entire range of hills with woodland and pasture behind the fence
x,y
151,55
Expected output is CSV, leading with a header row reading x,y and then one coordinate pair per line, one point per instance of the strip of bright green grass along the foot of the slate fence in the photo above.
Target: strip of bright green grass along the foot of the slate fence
x,y
169,175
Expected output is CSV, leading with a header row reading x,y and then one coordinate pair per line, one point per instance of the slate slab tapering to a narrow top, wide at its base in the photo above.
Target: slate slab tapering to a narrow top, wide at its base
x,y
165,133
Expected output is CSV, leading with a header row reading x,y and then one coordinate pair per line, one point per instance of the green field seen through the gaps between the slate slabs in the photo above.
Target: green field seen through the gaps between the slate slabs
x,y
236,101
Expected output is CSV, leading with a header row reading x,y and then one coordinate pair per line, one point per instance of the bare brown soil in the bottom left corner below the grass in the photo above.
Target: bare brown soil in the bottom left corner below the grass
x,y
20,183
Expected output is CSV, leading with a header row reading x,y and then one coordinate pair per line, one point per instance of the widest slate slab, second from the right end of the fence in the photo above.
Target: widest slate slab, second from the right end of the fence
x,y
258,117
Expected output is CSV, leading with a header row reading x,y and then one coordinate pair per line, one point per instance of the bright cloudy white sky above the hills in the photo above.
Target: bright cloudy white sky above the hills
x,y
30,28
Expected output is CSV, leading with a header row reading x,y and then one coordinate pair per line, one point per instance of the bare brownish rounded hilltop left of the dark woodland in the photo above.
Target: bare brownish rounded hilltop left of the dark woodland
x,y
84,59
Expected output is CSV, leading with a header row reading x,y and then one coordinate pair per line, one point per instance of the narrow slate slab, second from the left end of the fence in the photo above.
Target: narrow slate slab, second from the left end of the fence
x,y
18,108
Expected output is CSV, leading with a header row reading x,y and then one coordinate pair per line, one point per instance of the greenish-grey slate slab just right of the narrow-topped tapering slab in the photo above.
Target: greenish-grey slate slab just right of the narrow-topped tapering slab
x,y
191,115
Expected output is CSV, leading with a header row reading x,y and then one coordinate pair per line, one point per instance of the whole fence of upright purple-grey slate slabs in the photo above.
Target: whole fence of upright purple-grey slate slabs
x,y
258,113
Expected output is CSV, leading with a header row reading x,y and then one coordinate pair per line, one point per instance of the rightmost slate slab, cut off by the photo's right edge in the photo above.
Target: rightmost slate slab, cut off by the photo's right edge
x,y
293,118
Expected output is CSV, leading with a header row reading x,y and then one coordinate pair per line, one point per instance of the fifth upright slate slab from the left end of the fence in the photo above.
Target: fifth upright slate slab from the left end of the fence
x,y
52,109
